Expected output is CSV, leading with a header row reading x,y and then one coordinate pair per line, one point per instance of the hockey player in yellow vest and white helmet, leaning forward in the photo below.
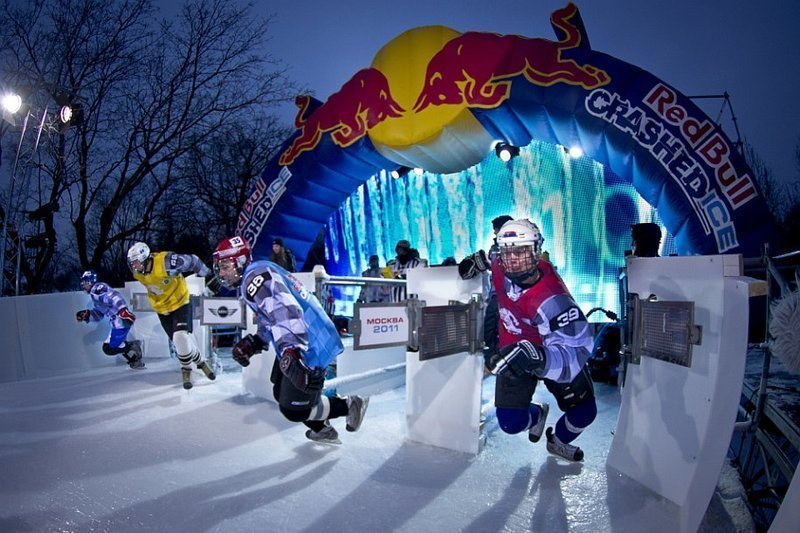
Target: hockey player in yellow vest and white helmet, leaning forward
x,y
160,273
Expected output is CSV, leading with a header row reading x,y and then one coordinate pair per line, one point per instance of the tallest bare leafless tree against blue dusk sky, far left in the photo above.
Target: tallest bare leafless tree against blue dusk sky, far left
x,y
152,95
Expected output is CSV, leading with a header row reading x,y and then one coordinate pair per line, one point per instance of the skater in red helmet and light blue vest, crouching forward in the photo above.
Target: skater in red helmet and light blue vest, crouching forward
x,y
305,340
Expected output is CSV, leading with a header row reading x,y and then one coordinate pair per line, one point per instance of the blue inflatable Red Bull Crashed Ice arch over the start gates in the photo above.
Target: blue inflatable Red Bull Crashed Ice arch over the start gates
x,y
438,99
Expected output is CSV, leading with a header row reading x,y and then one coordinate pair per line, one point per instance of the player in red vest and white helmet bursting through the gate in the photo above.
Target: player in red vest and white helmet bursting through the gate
x,y
545,336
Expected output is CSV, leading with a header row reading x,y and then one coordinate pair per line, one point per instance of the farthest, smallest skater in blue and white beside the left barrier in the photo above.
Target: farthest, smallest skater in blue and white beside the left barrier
x,y
108,302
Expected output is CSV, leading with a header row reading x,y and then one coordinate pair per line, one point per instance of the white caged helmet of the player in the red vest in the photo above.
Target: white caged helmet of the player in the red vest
x,y
520,243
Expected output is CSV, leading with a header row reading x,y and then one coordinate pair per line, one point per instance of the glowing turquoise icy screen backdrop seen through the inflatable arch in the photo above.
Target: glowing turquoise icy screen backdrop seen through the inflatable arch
x,y
584,211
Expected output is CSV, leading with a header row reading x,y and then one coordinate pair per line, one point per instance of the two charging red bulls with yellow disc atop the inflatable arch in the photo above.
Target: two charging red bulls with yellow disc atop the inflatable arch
x,y
437,81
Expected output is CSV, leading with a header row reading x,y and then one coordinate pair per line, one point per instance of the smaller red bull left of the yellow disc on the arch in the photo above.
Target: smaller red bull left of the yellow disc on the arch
x,y
363,102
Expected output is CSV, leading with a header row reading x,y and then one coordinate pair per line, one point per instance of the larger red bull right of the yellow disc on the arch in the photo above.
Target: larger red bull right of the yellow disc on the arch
x,y
474,68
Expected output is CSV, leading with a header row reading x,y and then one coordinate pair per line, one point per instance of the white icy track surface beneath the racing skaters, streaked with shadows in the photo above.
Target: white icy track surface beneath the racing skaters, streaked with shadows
x,y
121,450
